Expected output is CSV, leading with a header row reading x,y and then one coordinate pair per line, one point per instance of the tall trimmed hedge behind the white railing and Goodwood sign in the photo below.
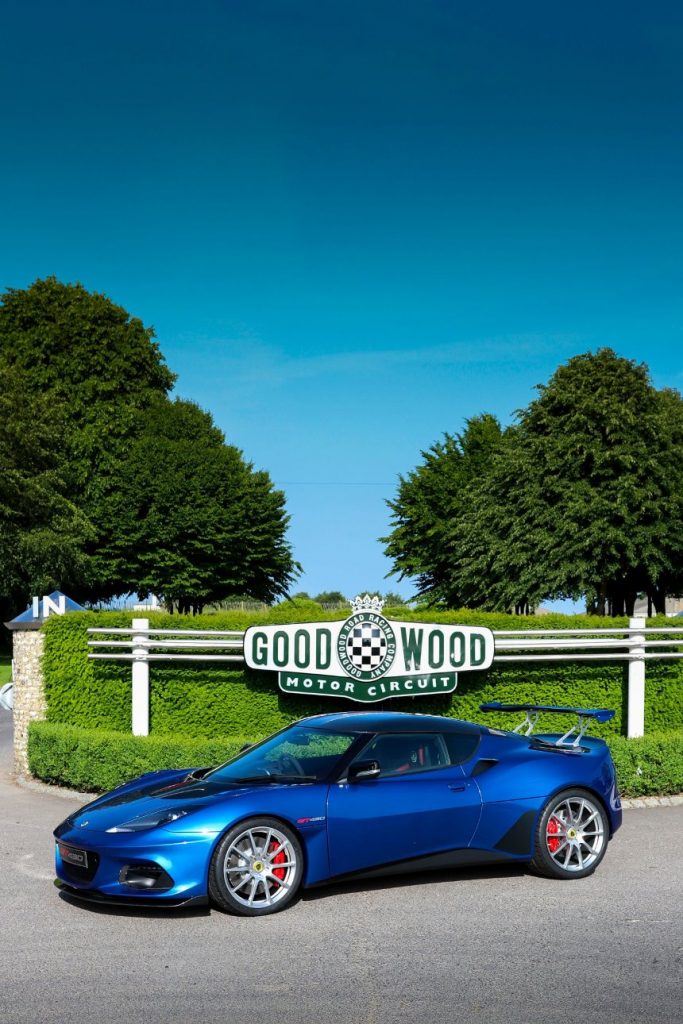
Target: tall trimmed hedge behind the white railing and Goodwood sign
x,y
209,700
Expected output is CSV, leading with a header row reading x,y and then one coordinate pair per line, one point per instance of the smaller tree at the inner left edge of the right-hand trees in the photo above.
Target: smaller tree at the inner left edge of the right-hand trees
x,y
429,511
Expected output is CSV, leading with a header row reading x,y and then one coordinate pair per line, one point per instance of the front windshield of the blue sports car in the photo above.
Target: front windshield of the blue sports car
x,y
300,755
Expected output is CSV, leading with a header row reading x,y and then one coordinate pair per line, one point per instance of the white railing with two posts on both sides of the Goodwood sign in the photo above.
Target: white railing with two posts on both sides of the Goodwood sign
x,y
633,645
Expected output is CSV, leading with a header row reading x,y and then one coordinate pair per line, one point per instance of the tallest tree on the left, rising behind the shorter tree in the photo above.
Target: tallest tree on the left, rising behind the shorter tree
x,y
93,370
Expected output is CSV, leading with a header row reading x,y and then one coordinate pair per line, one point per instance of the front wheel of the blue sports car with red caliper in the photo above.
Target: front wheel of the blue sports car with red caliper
x,y
257,869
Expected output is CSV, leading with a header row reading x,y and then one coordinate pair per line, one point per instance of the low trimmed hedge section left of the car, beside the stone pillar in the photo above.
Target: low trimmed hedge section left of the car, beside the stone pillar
x,y
95,761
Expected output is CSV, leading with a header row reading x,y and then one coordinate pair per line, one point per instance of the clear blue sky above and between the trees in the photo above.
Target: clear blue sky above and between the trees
x,y
354,226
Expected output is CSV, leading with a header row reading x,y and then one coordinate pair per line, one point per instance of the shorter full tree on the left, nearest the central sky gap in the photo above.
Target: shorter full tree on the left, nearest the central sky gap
x,y
190,521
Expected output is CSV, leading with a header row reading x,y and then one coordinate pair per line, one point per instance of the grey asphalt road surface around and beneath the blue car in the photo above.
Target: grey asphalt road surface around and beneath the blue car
x,y
500,946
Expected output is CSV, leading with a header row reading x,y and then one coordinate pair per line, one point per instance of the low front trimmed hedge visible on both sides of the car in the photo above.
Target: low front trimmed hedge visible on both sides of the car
x,y
94,760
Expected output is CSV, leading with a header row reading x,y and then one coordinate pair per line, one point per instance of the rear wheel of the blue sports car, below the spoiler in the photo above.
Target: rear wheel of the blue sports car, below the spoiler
x,y
572,836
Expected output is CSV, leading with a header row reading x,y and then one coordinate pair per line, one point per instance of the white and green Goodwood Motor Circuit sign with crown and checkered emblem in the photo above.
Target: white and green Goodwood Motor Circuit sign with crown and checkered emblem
x,y
368,658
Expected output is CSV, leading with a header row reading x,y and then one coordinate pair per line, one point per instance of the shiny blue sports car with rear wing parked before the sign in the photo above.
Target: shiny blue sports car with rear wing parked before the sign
x,y
345,795
